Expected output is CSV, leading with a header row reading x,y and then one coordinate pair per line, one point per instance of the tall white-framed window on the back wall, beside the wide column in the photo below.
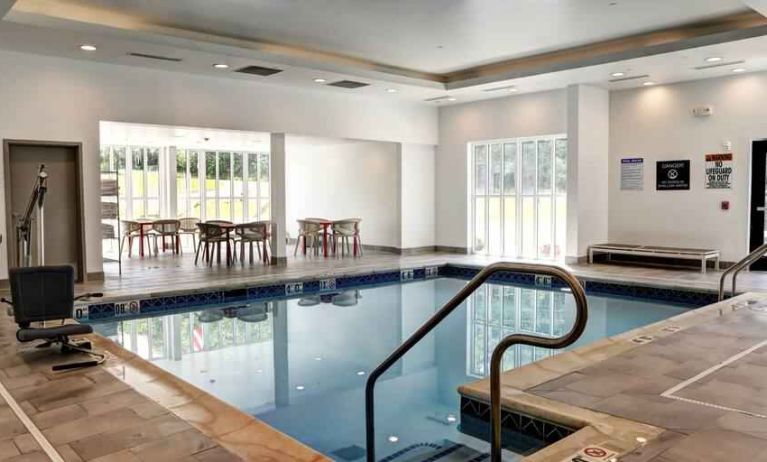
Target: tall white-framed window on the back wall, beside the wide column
x,y
519,197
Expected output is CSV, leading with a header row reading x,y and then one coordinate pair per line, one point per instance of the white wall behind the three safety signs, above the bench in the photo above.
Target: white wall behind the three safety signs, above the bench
x,y
655,123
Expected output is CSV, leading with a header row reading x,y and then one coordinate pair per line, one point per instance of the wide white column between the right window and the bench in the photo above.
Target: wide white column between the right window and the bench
x,y
588,124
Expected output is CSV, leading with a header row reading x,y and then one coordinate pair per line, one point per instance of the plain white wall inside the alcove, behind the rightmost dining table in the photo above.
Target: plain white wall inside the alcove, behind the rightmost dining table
x,y
346,180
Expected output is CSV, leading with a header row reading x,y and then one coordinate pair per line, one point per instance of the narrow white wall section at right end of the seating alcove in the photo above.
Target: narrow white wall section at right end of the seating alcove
x,y
416,195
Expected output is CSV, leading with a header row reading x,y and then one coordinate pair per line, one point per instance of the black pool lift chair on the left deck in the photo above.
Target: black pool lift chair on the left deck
x,y
43,294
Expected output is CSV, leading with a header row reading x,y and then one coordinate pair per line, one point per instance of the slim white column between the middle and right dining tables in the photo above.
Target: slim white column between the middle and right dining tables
x,y
278,197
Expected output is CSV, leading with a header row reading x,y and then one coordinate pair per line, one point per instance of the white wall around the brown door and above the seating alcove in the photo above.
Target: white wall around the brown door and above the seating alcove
x,y
46,98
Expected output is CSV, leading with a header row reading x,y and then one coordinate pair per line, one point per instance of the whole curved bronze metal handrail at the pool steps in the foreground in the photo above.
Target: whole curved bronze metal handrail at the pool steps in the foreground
x,y
581,316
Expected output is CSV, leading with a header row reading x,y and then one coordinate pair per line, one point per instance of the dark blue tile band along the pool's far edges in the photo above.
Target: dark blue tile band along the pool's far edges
x,y
133,307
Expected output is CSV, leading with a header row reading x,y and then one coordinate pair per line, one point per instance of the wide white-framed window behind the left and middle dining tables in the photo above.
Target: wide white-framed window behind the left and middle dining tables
x,y
204,184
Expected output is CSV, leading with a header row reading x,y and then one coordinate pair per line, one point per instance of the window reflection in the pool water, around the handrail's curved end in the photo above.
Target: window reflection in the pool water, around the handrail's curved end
x,y
496,311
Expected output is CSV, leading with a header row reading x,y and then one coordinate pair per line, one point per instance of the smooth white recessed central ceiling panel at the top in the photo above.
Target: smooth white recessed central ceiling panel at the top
x,y
434,36
